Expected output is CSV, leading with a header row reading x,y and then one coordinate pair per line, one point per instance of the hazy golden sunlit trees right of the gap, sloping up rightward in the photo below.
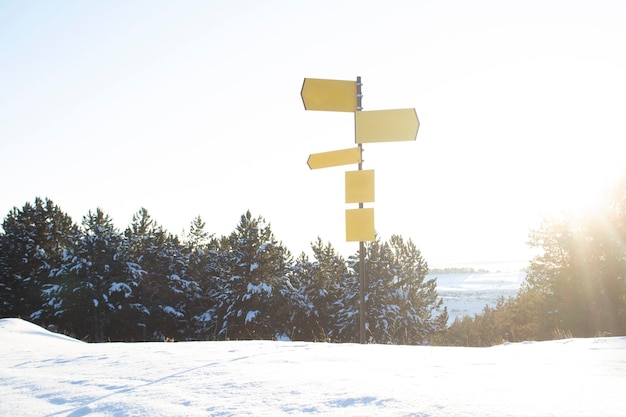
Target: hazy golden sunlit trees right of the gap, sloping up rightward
x,y
575,286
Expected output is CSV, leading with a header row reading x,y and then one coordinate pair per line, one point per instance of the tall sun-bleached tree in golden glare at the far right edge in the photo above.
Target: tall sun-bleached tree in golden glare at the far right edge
x,y
578,277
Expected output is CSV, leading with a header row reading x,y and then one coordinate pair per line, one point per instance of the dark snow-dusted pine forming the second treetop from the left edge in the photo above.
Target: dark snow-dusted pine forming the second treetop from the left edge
x,y
93,288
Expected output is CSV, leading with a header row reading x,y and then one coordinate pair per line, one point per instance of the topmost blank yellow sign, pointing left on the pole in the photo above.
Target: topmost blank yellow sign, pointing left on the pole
x,y
328,95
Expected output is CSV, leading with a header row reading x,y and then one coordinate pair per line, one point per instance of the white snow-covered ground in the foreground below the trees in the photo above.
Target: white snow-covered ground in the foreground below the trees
x,y
45,374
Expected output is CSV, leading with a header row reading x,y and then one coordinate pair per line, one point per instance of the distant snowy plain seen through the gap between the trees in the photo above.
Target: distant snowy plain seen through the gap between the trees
x,y
466,294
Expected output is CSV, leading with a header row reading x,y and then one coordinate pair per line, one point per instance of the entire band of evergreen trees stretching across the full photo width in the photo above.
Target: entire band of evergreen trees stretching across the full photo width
x,y
97,283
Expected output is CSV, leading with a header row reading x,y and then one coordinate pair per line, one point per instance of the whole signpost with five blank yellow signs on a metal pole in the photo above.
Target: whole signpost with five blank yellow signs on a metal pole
x,y
369,127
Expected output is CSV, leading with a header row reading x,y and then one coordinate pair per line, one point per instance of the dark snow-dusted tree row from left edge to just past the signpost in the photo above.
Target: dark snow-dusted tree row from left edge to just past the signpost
x,y
98,284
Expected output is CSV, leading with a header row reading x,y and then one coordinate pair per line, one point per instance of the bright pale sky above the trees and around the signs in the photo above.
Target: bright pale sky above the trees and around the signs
x,y
193,108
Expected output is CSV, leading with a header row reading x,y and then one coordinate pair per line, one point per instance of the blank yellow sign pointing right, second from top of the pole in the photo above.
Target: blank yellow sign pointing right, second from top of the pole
x,y
385,125
